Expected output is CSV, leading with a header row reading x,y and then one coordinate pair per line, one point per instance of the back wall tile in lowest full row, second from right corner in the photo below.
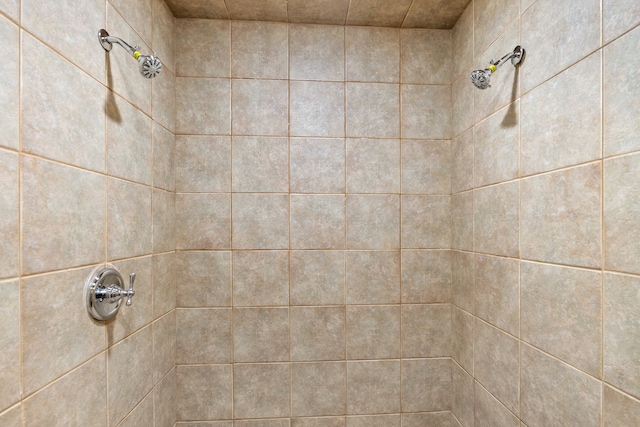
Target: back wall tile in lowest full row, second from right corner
x,y
373,387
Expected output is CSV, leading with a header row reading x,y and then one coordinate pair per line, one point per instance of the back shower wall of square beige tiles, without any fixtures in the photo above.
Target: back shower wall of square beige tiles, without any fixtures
x,y
312,225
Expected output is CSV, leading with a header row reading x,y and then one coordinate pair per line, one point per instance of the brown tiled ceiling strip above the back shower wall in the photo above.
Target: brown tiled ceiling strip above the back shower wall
x,y
383,13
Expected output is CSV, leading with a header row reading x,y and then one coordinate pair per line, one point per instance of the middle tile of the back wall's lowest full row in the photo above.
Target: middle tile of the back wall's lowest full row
x,y
318,388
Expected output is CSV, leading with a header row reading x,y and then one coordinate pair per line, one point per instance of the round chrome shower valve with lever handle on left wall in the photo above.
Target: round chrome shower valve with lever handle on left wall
x,y
104,292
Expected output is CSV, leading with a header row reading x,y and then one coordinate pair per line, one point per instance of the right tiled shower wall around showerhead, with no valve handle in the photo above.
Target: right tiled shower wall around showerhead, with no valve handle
x,y
546,216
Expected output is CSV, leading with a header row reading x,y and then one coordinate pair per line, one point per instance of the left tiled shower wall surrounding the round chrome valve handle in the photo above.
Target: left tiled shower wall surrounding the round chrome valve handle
x,y
86,177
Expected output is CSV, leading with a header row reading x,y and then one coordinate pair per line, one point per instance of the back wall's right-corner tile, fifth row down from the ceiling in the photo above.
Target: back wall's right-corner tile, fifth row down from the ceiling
x,y
426,276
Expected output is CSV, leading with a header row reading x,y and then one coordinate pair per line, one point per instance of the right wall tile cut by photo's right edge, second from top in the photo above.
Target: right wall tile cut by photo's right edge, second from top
x,y
621,104
